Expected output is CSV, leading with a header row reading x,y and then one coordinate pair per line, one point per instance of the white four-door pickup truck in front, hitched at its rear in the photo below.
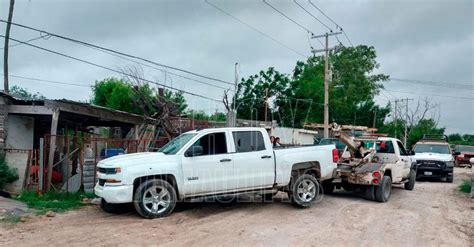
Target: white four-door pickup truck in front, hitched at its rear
x,y
212,162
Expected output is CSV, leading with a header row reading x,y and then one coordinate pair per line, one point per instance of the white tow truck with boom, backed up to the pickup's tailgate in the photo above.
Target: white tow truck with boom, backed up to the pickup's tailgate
x,y
372,164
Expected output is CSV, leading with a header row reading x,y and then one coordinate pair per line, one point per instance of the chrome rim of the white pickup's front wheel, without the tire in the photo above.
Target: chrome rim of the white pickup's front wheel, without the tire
x,y
156,199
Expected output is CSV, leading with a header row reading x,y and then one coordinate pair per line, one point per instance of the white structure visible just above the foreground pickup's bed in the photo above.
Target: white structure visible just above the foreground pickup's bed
x,y
294,136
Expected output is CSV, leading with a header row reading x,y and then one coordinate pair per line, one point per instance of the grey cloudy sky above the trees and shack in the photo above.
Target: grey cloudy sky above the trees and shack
x,y
416,40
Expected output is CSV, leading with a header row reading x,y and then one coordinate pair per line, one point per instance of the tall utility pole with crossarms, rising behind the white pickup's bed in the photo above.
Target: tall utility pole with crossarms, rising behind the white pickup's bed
x,y
326,78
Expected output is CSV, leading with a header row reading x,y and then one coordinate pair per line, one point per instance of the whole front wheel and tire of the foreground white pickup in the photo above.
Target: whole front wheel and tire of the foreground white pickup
x,y
150,195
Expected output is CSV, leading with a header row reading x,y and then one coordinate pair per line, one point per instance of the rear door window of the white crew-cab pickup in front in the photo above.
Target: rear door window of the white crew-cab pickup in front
x,y
248,141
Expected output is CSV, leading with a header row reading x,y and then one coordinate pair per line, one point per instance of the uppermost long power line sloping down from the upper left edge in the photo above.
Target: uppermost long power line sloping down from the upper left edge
x,y
118,52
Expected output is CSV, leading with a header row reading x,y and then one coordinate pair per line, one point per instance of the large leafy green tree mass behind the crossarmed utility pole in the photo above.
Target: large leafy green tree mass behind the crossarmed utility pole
x,y
300,98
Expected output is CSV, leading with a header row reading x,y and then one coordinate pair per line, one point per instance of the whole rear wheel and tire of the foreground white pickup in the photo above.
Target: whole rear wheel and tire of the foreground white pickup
x,y
304,191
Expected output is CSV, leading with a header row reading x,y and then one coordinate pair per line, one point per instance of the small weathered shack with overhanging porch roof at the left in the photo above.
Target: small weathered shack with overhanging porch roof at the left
x,y
64,126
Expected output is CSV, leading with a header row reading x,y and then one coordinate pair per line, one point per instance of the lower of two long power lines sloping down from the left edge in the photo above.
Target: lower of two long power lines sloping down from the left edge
x,y
110,69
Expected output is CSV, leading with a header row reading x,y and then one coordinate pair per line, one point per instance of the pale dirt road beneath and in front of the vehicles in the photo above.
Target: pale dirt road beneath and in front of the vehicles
x,y
434,213
